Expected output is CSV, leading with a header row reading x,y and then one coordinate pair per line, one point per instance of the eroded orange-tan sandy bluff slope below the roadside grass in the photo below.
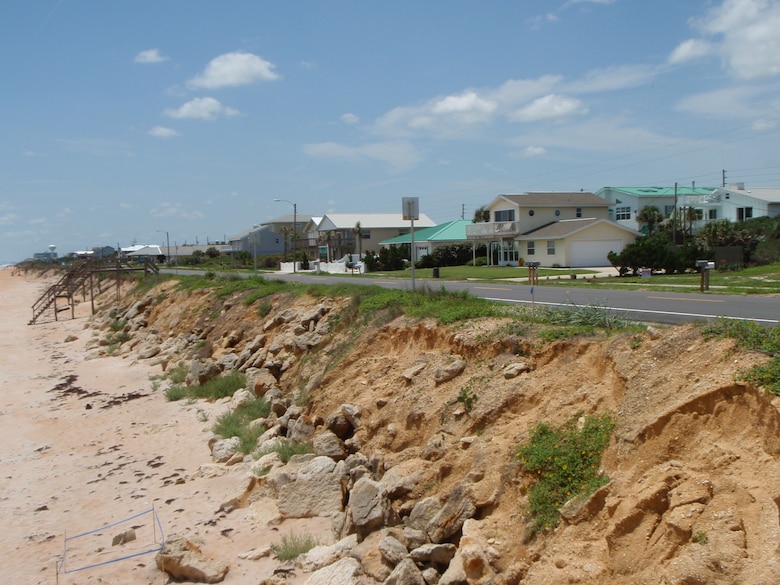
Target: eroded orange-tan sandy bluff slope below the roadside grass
x,y
693,452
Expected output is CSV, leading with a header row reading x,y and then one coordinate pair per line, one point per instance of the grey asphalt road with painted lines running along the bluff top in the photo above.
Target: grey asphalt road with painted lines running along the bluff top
x,y
656,307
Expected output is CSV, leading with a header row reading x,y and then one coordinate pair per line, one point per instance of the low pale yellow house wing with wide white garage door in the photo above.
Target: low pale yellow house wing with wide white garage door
x,y
575,242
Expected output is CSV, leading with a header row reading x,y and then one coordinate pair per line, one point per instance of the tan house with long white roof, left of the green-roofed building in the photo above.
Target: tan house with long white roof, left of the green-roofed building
x,y
340,234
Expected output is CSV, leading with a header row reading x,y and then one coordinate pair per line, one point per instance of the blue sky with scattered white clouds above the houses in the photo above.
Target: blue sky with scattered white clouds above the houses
x,y
121,121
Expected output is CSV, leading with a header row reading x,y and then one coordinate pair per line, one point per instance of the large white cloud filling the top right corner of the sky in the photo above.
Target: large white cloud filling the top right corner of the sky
x,y
744,34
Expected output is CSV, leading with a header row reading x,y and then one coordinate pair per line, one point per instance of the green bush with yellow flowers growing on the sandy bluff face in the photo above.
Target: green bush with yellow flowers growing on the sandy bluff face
x,y
565,462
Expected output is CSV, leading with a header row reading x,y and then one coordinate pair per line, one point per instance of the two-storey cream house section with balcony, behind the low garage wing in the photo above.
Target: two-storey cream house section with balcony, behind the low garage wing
x,y
512,217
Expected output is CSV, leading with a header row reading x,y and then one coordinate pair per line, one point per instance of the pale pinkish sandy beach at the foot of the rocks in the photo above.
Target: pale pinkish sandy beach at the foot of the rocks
x,y
89,442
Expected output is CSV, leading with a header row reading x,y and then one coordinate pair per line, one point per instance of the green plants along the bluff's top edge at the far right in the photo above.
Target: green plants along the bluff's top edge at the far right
x,y
752,336
